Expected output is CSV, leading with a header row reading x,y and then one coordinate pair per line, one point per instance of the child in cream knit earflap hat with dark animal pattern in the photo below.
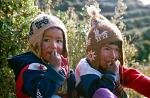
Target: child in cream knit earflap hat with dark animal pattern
x,y
44,72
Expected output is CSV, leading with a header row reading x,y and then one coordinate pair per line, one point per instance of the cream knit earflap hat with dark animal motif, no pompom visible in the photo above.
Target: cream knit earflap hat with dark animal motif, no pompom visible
x,y
41,23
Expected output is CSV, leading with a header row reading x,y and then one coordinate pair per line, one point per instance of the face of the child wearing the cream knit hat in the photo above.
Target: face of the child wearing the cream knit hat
x,y
52,42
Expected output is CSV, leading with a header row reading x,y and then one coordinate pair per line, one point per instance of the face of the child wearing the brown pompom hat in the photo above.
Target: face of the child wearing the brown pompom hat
x,y
109,54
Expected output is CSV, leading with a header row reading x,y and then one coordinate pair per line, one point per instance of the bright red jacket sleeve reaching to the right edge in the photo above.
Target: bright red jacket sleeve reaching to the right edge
x,y
132,78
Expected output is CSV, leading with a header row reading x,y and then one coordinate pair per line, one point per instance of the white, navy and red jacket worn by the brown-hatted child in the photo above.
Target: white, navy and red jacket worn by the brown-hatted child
x,y
89,80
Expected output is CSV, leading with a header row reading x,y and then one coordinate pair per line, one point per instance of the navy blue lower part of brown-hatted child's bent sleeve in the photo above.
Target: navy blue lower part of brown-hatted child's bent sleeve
x,y
91,83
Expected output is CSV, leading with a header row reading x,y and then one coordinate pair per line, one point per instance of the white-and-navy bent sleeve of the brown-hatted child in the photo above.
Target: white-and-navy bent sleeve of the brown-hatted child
x,y
88,80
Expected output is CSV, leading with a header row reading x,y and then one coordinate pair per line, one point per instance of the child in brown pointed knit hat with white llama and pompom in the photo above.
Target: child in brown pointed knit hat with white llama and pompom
x,y
102,70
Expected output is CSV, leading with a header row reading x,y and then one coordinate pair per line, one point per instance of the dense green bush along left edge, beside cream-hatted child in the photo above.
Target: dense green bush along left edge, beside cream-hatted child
x,y
14,24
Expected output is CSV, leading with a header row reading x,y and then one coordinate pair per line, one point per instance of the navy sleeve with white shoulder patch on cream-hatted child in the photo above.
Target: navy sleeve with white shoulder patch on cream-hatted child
x,y
41,83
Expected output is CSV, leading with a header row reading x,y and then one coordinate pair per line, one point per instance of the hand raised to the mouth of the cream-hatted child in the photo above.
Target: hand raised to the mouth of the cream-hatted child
x,y
55,60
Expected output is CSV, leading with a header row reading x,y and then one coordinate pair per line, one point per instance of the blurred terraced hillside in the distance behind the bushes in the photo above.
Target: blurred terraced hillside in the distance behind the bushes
x,y
136,18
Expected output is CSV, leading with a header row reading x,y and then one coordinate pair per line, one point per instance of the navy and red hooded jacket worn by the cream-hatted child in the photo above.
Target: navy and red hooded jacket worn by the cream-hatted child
x,y
36,79
